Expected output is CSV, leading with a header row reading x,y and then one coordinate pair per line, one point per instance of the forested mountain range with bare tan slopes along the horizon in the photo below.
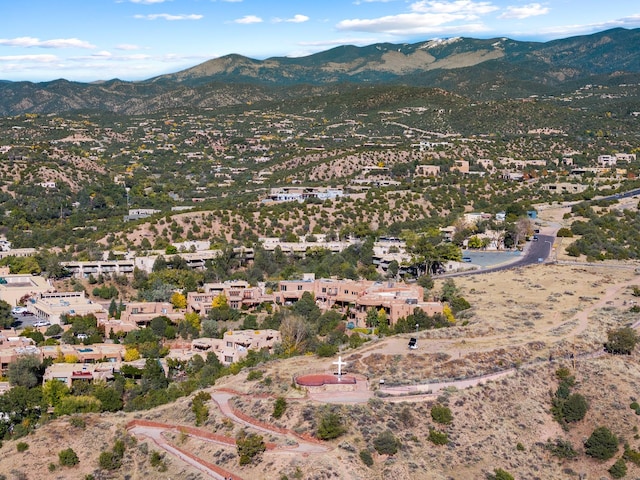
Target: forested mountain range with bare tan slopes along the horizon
x,y
480,69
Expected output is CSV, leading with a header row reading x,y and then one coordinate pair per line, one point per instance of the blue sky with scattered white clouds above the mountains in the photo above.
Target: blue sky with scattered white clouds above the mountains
x,y
88,40
